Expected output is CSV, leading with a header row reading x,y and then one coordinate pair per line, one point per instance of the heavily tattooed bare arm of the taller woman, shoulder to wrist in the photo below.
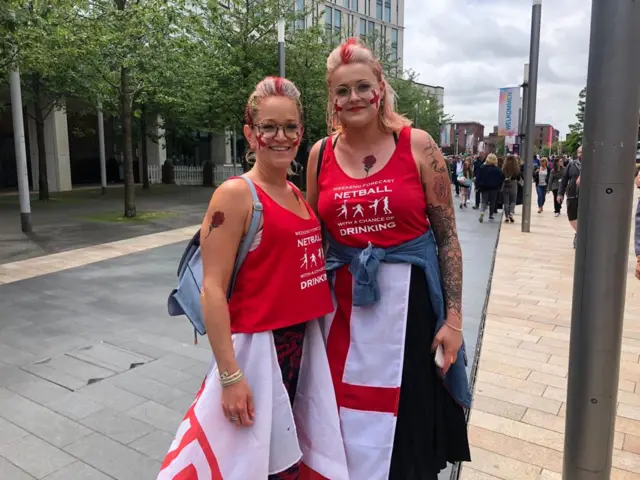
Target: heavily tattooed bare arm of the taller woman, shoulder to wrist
x,y
435,178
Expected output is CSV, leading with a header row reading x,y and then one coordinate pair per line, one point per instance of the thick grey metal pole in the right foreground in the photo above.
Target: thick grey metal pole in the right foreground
x,y
604,214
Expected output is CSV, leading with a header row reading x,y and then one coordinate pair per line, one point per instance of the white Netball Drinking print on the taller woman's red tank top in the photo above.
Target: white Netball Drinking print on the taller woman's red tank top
x,y
364,208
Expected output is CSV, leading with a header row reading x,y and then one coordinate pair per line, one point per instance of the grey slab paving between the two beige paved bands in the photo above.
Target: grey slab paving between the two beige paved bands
x,y
99,320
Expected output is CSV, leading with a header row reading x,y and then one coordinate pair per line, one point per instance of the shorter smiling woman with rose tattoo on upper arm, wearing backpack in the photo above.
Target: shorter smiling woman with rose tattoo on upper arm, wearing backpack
x,y
241,425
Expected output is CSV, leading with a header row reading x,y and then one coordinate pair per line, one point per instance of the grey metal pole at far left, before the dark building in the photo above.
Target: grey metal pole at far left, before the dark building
x,y
20,150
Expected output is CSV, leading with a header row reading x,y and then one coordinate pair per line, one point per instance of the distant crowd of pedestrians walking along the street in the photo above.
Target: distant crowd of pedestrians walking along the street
x,y
498,183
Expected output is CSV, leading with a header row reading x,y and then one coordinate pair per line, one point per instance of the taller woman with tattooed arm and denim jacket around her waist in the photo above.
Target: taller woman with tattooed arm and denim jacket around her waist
x,y
394,341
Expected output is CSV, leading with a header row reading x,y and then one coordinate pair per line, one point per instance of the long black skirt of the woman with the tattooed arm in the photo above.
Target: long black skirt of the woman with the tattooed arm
x,y
431,429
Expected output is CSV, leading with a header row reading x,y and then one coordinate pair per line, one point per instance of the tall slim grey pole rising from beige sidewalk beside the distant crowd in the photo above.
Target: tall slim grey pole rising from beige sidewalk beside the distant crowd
x,y
534,54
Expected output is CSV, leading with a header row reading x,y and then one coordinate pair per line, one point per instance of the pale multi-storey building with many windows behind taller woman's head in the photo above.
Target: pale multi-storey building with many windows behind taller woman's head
x,y
380,20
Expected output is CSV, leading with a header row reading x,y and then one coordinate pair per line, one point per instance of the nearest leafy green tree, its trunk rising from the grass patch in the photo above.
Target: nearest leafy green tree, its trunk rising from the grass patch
x,y
134,56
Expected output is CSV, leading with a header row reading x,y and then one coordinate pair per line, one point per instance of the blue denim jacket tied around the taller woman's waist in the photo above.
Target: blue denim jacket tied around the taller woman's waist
x,y
422,252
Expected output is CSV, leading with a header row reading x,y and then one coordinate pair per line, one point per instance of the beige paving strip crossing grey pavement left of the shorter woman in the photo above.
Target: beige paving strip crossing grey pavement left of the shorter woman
x,y
33,267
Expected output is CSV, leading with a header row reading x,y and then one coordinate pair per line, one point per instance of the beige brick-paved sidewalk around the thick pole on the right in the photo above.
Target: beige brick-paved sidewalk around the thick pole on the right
x,y
517,422
